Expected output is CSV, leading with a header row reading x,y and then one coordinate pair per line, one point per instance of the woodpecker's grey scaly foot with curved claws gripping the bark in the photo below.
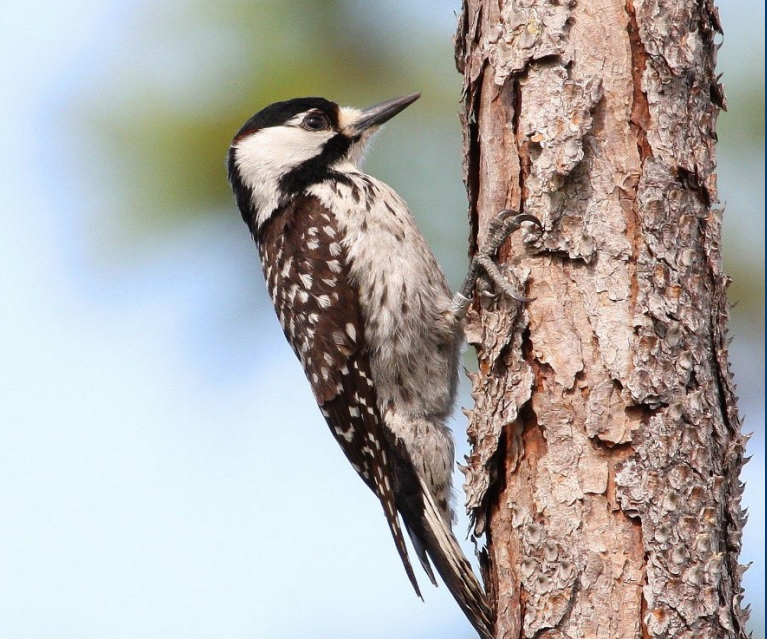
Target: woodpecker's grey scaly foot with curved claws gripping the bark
x,y
504,224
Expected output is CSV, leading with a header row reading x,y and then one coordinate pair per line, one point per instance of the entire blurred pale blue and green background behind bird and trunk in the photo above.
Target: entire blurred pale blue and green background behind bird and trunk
x,y
164,471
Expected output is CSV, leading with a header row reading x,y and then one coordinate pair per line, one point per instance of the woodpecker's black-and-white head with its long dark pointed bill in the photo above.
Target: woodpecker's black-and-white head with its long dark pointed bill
x,y
288,146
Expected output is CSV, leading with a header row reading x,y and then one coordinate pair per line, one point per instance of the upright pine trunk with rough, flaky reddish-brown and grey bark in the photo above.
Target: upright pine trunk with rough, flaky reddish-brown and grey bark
x,y
606,438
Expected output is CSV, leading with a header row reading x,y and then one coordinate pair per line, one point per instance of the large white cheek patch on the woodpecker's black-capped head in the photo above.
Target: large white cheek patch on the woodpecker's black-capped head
x,y
264,157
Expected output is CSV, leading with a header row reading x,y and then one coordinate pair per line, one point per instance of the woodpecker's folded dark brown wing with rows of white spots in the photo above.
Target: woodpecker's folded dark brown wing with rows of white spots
x,y
304,262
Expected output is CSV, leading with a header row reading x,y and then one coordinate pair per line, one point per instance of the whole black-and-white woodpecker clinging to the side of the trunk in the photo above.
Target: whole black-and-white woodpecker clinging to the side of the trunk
x,y
368,312
